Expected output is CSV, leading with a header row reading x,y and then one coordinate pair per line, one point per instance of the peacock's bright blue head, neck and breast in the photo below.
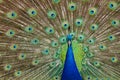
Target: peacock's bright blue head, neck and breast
x,y
70,71
